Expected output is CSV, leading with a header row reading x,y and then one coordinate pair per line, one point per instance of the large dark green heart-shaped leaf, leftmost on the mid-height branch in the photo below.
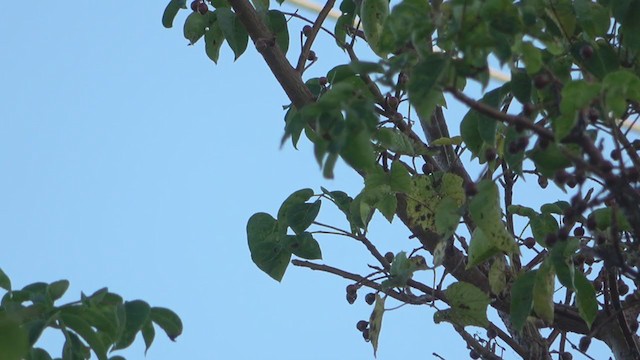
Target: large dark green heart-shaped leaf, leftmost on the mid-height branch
x,y
267,249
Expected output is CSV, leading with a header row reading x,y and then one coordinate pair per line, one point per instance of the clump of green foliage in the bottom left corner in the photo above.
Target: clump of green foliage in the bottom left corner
x,y
97,324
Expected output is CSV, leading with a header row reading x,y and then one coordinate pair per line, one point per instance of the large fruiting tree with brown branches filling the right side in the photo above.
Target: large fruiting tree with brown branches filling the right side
x,y
551,275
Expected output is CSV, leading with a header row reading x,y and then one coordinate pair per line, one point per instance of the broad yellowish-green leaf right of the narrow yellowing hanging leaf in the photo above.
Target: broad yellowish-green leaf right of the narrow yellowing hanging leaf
x,y
468,306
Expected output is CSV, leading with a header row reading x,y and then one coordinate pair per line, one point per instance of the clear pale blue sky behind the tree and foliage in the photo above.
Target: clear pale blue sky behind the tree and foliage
x,y
130,160
